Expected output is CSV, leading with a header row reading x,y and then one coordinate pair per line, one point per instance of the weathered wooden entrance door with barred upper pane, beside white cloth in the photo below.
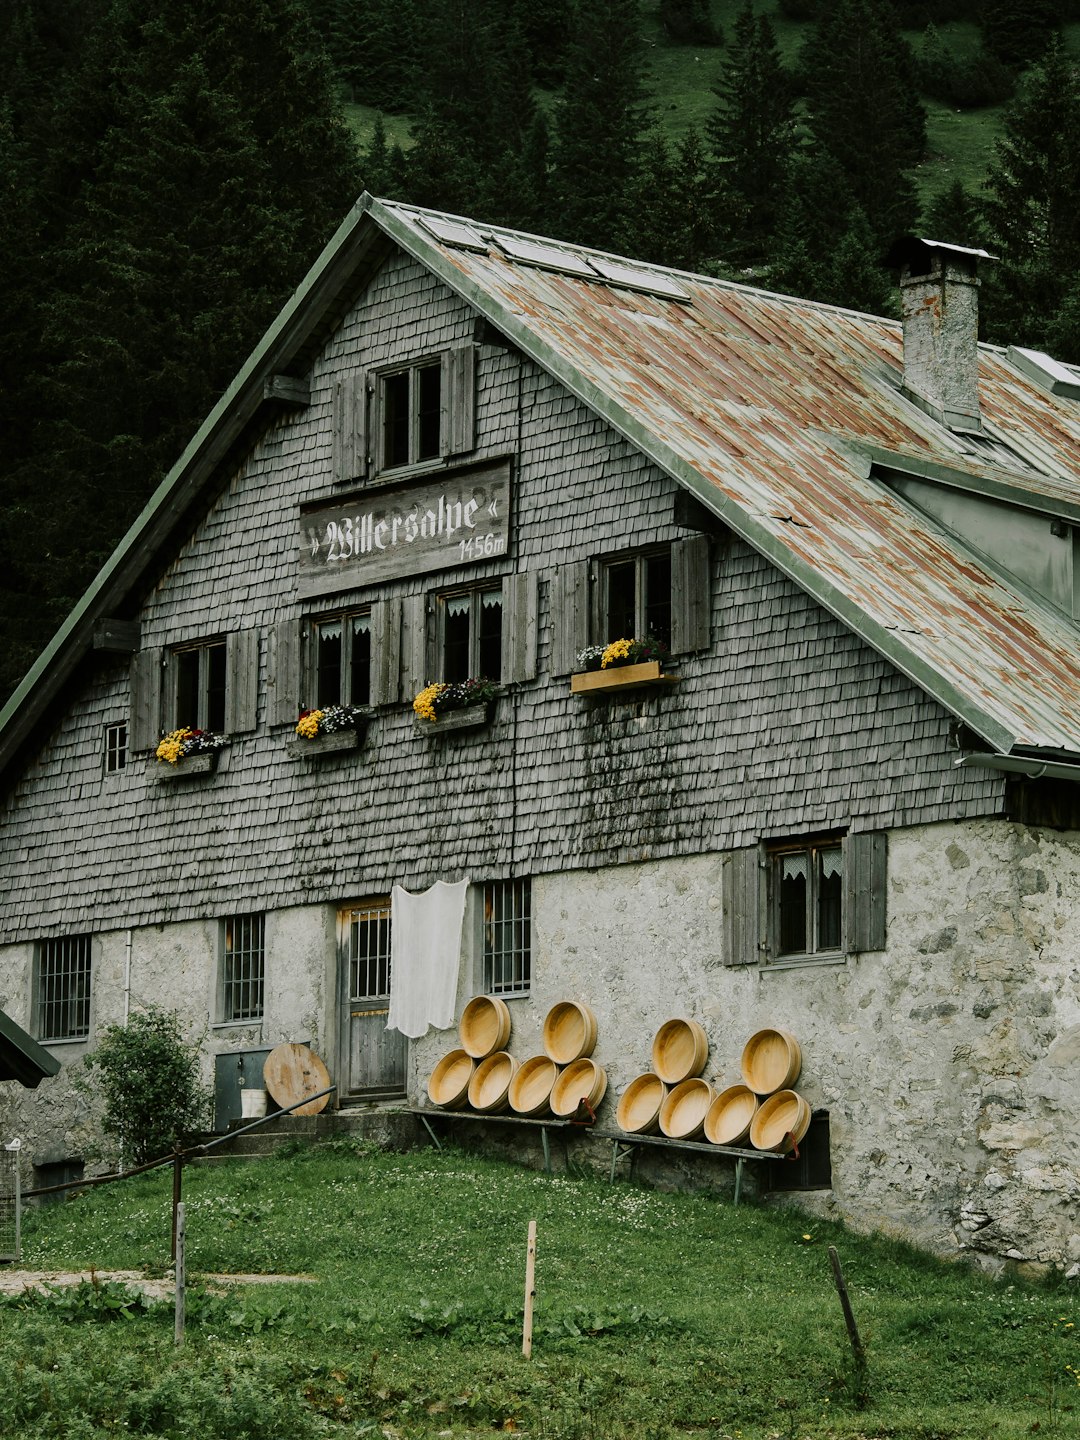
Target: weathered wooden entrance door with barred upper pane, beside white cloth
x,y
375,1056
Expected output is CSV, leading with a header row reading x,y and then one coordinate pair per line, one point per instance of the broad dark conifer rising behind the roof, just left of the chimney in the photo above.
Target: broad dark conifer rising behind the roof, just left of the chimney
x,y
865,112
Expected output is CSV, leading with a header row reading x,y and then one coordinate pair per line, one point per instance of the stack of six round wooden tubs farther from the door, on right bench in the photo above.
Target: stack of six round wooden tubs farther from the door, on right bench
x,y
676,1101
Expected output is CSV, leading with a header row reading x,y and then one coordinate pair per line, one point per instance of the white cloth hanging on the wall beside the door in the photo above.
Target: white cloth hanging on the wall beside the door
x,y
426,957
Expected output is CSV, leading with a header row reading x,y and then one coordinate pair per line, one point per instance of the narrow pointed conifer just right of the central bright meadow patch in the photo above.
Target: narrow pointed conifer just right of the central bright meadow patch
x,y
751,136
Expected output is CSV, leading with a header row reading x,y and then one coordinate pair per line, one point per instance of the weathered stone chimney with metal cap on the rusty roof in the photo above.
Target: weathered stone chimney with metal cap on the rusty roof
x,y
940,293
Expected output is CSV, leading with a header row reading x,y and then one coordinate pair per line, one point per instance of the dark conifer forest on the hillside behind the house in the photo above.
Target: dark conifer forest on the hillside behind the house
x,y
172,171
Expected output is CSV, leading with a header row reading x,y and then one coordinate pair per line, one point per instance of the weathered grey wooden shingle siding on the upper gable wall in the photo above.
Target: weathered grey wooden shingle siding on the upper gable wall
x,y
790,725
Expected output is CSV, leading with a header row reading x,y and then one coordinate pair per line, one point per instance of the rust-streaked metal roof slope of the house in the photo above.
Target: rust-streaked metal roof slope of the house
x,y
773,411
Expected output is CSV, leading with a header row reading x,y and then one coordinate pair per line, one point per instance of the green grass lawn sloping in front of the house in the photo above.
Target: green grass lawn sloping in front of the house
x,y
657,1317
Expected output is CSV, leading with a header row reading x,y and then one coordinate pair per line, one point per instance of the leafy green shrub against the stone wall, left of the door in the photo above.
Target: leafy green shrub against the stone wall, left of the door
x,y
149,1079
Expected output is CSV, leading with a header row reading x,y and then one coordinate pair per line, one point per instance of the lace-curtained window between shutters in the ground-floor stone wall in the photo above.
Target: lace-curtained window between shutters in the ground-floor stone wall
x,y
807,899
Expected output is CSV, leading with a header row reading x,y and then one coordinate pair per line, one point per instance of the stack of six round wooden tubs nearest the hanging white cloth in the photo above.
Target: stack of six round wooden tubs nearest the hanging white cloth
x,y
485,1076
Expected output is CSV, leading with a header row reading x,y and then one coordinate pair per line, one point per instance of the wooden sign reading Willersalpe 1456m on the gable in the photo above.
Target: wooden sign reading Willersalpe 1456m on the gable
x,y
446,522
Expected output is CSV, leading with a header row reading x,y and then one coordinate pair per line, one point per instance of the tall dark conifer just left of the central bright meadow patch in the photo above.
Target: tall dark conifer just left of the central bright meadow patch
x,y
600,123
